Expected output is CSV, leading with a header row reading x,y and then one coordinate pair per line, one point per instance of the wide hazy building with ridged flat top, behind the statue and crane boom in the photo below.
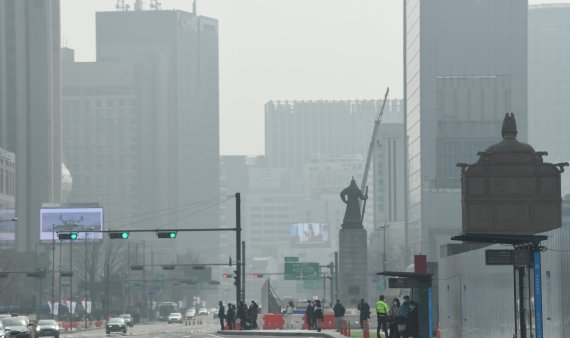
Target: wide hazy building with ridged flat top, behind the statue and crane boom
x,y
298,131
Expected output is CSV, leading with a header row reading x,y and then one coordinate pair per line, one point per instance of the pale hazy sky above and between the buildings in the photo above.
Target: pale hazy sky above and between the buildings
x,y
279,50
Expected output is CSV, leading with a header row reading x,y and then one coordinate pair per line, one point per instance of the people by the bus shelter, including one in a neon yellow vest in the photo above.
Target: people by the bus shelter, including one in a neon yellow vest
x,y
400,319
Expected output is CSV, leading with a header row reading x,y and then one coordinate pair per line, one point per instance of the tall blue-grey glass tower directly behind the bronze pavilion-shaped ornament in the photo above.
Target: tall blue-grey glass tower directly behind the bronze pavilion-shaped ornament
x,y
465,67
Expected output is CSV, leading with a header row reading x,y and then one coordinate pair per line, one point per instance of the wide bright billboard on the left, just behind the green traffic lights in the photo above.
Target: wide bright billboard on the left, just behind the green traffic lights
x,y
54,220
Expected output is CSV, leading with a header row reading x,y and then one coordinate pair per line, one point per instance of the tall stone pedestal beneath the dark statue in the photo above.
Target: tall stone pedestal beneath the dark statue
x,y
353,265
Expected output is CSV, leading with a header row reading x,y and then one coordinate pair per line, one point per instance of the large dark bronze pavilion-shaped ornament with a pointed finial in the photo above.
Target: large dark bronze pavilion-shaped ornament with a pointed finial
x,y
510,189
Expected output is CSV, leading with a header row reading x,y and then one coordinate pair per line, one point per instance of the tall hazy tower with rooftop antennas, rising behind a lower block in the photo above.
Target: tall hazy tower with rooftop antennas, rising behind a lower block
x,y
181,138
